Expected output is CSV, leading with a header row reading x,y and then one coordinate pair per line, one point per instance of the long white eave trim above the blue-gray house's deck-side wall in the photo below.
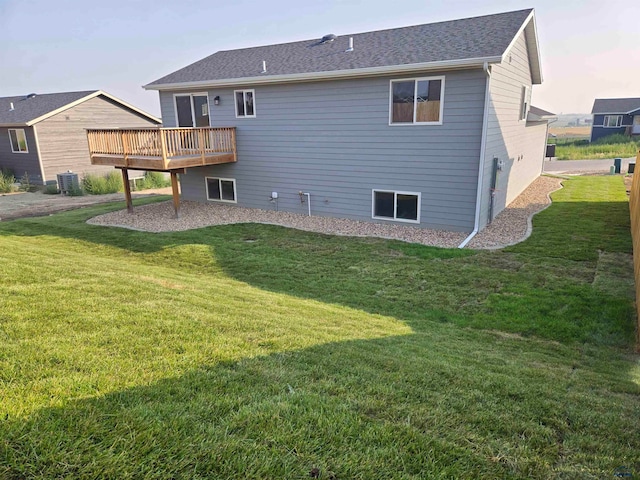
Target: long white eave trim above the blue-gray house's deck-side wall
x,y
311,76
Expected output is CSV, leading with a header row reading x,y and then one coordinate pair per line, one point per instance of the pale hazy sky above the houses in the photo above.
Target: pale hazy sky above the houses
x,y
589,48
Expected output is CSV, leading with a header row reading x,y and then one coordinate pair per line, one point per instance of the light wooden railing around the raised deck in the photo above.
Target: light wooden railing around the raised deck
x,y
165,143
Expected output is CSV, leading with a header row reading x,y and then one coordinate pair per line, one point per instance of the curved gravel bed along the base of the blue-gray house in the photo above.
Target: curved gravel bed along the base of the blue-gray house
x,y
509,227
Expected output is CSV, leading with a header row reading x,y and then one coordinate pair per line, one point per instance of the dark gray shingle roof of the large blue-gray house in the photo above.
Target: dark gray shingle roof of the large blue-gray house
x,y
451,44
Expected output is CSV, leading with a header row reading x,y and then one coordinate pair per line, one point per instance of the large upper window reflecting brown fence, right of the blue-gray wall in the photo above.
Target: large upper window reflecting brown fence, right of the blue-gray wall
x,y
416,101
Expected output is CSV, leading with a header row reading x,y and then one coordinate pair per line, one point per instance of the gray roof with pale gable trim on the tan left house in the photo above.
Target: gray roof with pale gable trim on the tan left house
x,y
31,109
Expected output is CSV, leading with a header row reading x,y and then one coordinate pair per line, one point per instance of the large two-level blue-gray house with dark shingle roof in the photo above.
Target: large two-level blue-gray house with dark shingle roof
x,y
428,125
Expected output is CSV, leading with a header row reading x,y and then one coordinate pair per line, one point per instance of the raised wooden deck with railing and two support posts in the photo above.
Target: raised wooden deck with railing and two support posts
x,y
161,149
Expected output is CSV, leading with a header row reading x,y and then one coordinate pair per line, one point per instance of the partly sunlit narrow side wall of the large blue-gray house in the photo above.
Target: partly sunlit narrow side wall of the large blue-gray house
x,y
518,144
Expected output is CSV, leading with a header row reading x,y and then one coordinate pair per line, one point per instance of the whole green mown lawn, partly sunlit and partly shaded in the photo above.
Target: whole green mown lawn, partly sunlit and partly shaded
x,y
254,351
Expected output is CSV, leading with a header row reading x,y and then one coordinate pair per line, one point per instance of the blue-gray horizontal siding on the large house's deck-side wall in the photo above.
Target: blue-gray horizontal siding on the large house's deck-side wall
x,y
333,140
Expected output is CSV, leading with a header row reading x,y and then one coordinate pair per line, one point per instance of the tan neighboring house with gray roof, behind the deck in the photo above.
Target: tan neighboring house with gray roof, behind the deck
x,y
44,135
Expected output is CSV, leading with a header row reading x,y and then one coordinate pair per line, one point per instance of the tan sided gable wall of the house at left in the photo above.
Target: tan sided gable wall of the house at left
x,y
63,137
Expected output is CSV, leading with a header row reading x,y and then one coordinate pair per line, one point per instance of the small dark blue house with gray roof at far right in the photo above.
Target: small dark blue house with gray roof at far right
x,y
615,115
